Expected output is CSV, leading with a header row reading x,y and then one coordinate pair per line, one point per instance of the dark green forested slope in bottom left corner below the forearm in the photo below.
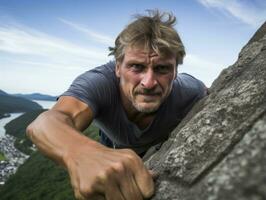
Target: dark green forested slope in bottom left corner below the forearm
x,y
38,179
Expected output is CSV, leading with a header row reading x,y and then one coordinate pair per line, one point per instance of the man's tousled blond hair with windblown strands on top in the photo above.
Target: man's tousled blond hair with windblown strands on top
x,y
152,32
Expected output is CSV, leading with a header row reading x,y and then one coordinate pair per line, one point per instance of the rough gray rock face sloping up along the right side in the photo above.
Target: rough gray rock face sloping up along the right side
x,y
219,150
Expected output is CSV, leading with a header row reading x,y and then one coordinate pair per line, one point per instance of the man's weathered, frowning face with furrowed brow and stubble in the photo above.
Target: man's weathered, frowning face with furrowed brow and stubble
x,y
146,79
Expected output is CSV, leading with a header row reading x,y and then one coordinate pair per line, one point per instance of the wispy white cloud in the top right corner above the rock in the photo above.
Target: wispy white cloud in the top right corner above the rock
x,y
249,12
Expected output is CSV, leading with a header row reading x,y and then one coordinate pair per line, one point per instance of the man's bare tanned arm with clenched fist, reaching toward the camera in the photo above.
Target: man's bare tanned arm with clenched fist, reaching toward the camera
x,y
94,170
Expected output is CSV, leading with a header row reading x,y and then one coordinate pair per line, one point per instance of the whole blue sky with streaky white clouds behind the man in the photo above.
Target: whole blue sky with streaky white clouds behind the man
x,y
45,45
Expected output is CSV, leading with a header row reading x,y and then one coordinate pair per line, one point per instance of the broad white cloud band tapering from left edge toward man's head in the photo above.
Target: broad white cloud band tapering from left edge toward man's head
x,y
25,41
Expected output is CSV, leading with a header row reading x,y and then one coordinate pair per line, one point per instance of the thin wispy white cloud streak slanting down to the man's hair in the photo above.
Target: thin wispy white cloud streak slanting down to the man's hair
x,y
92,35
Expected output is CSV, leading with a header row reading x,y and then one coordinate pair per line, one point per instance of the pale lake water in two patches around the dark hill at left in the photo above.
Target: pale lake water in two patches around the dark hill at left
x,y
4,121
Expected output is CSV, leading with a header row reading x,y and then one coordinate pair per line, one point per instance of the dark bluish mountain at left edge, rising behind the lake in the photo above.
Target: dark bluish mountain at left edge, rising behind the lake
x,y
12,104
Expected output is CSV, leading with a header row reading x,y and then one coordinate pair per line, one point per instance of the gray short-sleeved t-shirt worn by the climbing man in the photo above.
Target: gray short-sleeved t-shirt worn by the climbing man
x,y
99,88
